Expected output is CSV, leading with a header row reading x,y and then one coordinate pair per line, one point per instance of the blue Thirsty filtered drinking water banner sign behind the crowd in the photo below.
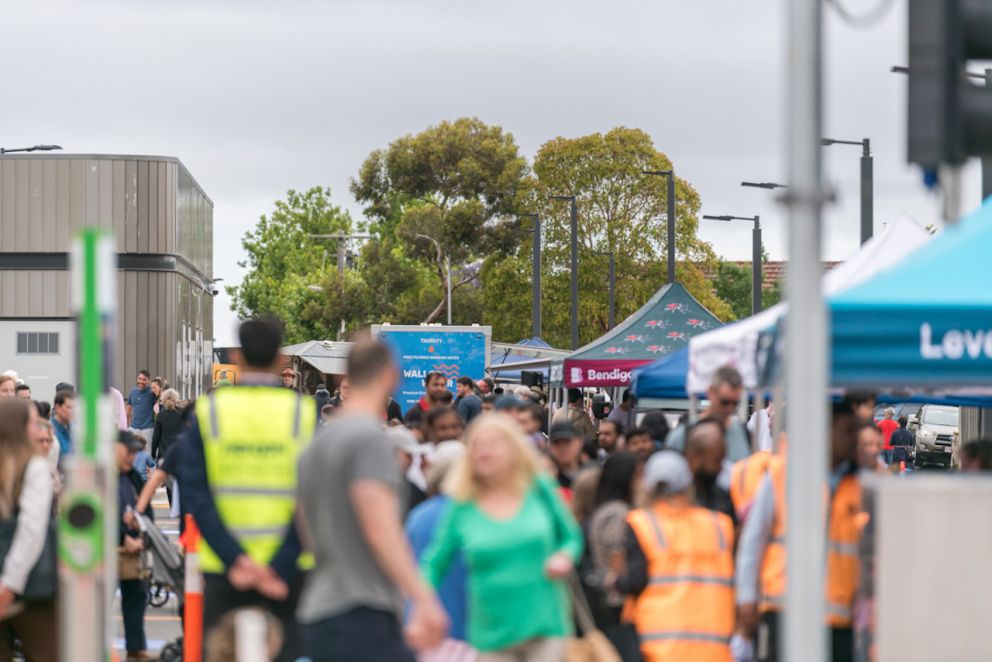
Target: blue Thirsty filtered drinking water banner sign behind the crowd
x,y
453,351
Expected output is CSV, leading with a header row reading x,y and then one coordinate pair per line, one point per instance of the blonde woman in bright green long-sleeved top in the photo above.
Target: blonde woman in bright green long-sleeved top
x,y
519,541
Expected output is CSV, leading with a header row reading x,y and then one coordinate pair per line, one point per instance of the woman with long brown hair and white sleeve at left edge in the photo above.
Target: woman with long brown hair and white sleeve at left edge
x,y
27,551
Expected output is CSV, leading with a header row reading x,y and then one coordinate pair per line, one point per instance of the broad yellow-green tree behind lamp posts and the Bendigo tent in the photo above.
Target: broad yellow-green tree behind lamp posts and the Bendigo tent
x,y
620,210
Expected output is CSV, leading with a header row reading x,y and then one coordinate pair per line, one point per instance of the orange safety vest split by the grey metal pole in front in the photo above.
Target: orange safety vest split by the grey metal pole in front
x,y
846,521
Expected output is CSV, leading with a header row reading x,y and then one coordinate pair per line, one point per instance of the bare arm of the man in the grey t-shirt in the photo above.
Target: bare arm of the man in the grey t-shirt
x,y
378,512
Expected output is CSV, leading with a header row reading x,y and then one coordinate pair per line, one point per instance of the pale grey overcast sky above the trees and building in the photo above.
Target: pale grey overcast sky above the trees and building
x,y
258,97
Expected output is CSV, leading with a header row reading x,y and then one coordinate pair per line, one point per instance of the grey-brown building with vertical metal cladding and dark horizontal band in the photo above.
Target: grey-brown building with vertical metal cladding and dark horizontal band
x,y
162,224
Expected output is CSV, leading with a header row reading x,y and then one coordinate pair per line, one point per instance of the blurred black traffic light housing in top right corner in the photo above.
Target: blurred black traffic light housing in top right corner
x,y
950,118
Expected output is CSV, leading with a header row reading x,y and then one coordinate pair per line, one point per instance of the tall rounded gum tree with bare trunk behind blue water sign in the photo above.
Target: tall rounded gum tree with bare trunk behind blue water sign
x,y
448,192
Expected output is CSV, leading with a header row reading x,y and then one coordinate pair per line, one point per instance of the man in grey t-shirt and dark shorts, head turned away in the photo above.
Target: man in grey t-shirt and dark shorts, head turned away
x,y
350,506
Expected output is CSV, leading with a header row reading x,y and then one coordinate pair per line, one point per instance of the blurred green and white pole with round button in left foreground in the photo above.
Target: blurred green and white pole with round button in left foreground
x,y
88,518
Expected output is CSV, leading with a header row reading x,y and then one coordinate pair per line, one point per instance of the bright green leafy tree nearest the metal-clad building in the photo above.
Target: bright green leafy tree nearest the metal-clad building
x,y
284,261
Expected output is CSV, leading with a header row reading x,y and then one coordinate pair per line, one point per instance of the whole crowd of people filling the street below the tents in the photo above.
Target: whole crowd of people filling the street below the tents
x,y
473,526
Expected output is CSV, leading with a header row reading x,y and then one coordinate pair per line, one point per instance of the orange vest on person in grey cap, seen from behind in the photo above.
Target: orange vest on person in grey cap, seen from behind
x,y
686,612
